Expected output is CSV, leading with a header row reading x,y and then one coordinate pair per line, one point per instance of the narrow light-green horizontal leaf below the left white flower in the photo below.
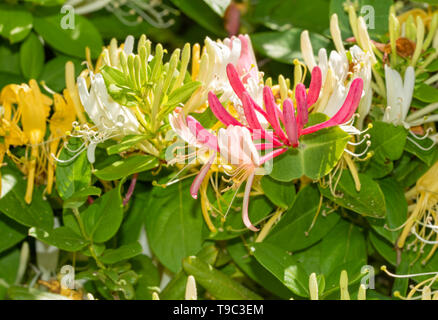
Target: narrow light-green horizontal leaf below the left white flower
x,y
126,167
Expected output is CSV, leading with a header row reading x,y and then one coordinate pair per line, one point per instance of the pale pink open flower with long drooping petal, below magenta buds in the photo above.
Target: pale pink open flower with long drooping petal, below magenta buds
x,y
238,149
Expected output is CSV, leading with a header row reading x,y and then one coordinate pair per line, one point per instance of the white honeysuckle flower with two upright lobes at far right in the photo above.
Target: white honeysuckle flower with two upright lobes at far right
x,y
399,94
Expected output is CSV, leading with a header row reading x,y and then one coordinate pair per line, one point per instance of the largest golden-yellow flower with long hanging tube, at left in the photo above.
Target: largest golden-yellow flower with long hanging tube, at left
x,y
35,108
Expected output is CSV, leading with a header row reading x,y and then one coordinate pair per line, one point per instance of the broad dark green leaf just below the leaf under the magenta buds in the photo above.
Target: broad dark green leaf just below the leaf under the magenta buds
x,y
294,231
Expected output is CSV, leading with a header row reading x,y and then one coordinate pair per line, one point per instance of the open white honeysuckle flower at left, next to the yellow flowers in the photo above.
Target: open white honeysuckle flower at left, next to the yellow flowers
x,y
111,120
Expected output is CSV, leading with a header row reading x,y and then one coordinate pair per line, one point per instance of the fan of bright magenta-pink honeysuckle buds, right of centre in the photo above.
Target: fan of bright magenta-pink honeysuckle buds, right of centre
x,y
294,120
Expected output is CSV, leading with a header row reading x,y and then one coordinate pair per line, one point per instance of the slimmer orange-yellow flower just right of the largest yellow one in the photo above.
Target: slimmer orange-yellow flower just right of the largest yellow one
x,y
60,122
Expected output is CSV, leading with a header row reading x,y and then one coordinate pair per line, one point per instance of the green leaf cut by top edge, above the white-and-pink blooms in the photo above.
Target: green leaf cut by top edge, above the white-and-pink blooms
x,y
202,14
